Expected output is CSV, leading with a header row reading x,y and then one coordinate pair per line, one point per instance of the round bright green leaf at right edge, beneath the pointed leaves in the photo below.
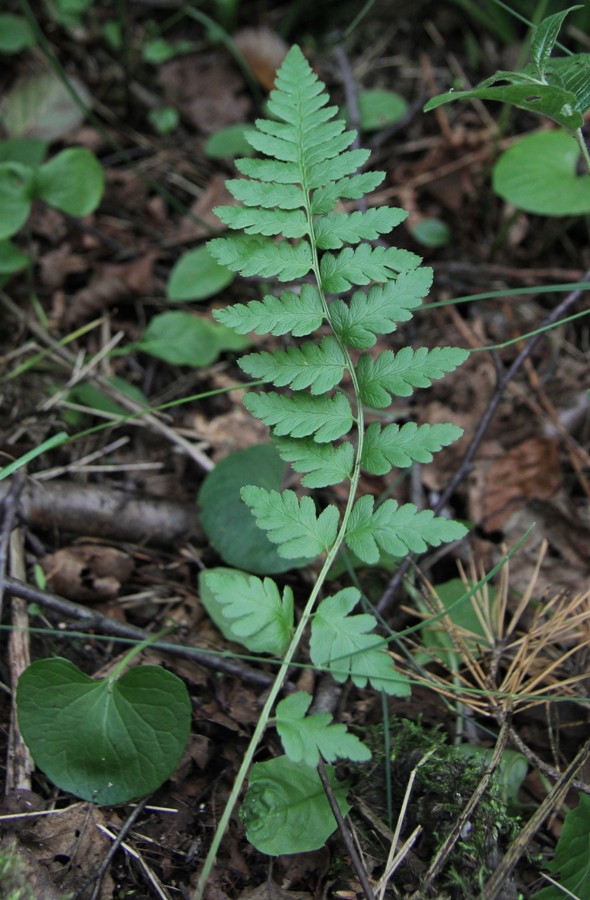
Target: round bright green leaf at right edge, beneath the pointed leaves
x,y
538,174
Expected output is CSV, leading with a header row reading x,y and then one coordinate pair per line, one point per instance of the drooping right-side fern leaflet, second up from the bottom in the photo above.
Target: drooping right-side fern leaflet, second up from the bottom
x,y
343,644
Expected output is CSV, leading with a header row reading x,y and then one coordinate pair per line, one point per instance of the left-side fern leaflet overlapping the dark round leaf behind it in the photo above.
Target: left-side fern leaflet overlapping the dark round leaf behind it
x,y
291,523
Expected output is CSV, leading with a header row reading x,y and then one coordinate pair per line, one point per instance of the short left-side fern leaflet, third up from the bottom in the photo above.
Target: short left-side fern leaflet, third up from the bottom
x,y
325,464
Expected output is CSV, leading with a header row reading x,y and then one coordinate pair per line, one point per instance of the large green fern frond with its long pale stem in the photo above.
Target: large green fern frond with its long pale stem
x,y
294,192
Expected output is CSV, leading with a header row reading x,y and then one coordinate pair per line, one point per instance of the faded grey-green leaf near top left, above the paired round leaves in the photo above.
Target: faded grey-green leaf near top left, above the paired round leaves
x,y
41,106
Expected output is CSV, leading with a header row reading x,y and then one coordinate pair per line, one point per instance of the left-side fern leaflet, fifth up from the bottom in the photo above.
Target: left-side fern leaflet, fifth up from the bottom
x,y
317,366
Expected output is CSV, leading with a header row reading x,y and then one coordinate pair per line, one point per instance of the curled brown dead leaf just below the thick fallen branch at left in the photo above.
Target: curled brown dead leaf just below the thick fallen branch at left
x,y
87,572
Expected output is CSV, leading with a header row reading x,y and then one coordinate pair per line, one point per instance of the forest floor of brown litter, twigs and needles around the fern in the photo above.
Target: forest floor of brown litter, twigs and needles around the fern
x,y
110,520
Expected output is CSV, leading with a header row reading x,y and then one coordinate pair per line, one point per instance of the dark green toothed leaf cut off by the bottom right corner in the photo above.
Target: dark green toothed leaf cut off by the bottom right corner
x,y
571,864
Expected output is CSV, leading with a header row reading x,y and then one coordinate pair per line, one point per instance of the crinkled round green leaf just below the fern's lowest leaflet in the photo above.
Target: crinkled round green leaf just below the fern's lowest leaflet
x,y
286,809
